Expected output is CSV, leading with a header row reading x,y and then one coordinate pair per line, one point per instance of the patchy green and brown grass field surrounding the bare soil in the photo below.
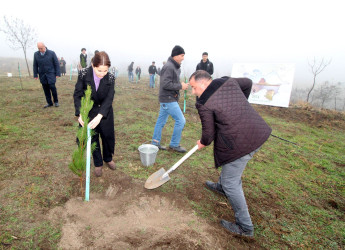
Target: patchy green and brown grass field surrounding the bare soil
x,y
295,194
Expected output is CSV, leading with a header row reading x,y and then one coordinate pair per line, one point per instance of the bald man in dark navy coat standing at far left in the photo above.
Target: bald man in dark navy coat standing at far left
x,y
46,67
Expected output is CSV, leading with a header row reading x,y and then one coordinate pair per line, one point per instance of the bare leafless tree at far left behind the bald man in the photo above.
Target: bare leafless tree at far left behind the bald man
x,y
19,36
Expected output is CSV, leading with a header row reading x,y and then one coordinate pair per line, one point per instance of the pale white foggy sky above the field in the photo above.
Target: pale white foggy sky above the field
x,y
244,31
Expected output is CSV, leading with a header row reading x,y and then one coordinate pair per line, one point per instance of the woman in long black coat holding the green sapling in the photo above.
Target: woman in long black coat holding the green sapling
x,y
101,115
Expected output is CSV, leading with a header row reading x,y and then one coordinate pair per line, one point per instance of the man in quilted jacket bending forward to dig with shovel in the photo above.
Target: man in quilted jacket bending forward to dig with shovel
x,y
238,132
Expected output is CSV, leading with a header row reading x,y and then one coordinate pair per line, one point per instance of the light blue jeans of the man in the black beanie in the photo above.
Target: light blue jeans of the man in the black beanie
x,y
174,110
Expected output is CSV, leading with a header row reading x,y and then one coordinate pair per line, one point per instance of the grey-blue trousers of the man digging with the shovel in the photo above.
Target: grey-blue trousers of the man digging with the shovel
x,y
231,183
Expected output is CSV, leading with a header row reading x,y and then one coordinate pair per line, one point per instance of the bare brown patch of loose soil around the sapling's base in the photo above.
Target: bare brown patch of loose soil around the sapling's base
x,y
126,216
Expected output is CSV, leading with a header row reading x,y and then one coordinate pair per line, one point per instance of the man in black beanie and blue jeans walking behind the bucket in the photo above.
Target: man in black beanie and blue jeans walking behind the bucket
x,y
169,93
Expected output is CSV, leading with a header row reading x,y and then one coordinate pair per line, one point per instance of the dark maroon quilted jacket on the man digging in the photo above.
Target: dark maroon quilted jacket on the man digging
x,y
229,120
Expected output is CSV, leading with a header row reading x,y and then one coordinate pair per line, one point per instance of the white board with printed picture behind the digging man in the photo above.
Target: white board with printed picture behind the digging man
x,y
272,82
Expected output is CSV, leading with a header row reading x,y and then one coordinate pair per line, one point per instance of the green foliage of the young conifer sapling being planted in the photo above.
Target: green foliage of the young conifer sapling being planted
x,y
78,164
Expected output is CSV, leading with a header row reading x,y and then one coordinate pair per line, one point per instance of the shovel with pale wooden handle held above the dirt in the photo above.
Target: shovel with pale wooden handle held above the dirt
x,y
161,176
